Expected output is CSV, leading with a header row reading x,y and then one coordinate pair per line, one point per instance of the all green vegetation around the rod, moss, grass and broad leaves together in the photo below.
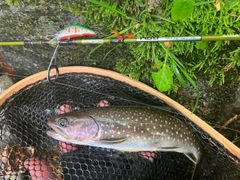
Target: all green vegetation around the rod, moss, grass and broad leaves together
x,y
168,65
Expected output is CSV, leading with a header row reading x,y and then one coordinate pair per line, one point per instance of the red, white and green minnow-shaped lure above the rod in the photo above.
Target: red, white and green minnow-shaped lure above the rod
x,y
73,31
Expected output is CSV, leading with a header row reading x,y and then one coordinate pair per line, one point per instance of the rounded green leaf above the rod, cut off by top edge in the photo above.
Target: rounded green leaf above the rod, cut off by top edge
x,y
182,9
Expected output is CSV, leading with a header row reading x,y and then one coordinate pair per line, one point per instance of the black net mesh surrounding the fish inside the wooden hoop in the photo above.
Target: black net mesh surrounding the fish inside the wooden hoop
x,y
26,151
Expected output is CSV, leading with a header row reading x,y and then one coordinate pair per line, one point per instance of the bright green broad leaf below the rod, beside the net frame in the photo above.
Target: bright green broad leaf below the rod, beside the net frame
x,y
163,79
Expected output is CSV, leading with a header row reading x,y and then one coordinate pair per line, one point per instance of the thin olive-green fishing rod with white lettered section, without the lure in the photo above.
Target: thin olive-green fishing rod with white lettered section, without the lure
x,y
55,42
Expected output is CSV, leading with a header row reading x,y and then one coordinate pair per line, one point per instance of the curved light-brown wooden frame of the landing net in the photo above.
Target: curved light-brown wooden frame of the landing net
x,y
196,122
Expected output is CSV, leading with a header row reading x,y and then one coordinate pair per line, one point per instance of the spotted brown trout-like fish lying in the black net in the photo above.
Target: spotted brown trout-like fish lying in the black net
x,y
127,128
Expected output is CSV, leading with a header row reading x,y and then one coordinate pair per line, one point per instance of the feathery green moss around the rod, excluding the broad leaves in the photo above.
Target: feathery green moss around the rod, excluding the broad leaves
x,y
153,19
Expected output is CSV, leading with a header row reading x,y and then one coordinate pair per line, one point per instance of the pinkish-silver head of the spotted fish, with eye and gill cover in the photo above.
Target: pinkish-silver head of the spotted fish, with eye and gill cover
x,y
71,126
